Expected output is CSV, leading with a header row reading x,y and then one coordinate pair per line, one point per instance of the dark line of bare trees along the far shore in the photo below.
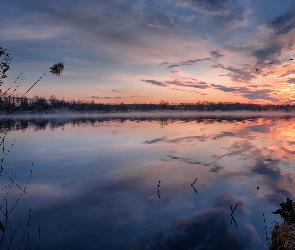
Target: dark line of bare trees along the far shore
x,y
13,104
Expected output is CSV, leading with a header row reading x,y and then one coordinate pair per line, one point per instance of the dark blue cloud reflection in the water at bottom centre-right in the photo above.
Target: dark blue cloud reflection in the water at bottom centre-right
x,y
208,229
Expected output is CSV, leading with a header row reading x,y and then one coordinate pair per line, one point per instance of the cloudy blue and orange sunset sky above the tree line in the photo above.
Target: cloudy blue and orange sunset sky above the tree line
x,y
145,51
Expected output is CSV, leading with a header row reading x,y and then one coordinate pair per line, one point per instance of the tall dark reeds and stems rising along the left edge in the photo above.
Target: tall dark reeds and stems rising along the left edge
x,y
14,235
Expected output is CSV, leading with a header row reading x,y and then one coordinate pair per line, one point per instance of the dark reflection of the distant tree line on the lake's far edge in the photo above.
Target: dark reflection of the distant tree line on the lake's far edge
x,y
43,122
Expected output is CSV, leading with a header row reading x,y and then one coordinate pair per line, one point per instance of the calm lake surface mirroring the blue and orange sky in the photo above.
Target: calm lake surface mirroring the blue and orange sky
x,y
95,183
